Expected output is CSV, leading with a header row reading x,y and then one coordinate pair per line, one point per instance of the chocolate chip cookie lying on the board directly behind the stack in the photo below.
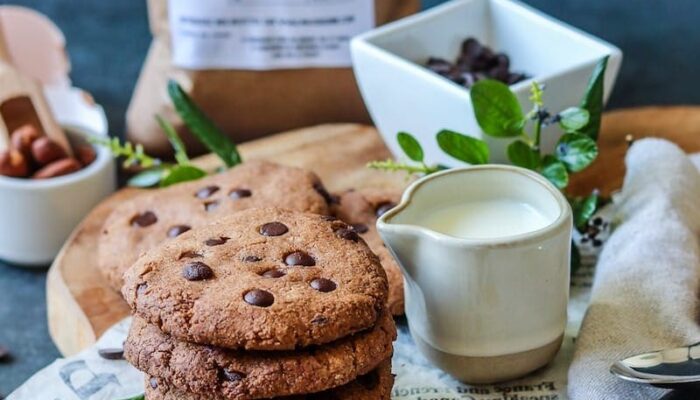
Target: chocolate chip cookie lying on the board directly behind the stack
x,y
158,215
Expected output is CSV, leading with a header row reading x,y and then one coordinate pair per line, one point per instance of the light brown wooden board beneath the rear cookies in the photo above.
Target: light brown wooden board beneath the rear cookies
x,y
81,306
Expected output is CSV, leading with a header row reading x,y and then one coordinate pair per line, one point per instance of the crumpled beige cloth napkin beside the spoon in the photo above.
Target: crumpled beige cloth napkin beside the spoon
x,y
645,293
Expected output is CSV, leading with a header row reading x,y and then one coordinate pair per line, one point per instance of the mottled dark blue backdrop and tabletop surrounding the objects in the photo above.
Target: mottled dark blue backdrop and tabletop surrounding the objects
x,y
107,41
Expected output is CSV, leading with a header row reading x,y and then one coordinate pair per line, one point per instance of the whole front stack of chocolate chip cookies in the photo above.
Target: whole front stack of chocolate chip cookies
x,y
265,303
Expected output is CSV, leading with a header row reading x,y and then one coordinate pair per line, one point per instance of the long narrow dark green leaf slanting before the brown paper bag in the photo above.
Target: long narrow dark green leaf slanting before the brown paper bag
x,y
202,127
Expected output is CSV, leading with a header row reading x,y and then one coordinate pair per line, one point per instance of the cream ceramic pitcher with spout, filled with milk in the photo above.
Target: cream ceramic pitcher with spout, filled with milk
x,y
492,308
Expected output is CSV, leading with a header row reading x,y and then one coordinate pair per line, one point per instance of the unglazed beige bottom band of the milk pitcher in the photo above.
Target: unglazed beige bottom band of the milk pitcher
x,y
479,370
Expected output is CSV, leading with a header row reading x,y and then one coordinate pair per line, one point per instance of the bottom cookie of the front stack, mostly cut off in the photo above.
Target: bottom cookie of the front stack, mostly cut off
x,y
375,385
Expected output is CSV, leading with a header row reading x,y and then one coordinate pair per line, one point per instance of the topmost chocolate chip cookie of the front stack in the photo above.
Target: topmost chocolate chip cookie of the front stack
x,y
261,279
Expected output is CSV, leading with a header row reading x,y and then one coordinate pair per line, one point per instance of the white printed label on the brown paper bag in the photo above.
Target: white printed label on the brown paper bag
x,y
266,34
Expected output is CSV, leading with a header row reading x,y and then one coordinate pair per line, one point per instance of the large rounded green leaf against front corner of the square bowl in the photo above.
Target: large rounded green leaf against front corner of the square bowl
x,y
496,109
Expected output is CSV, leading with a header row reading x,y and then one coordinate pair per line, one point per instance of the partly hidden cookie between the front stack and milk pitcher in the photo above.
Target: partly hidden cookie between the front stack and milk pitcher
x,y
361,208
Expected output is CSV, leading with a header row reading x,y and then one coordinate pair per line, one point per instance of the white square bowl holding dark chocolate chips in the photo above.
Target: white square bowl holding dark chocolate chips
x,y
402,95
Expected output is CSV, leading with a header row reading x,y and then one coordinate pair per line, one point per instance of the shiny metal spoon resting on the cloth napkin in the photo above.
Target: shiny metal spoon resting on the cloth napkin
x,y
677,368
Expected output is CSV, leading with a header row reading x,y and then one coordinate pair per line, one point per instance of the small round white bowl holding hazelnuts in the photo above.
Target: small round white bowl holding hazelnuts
x,y
36,216
